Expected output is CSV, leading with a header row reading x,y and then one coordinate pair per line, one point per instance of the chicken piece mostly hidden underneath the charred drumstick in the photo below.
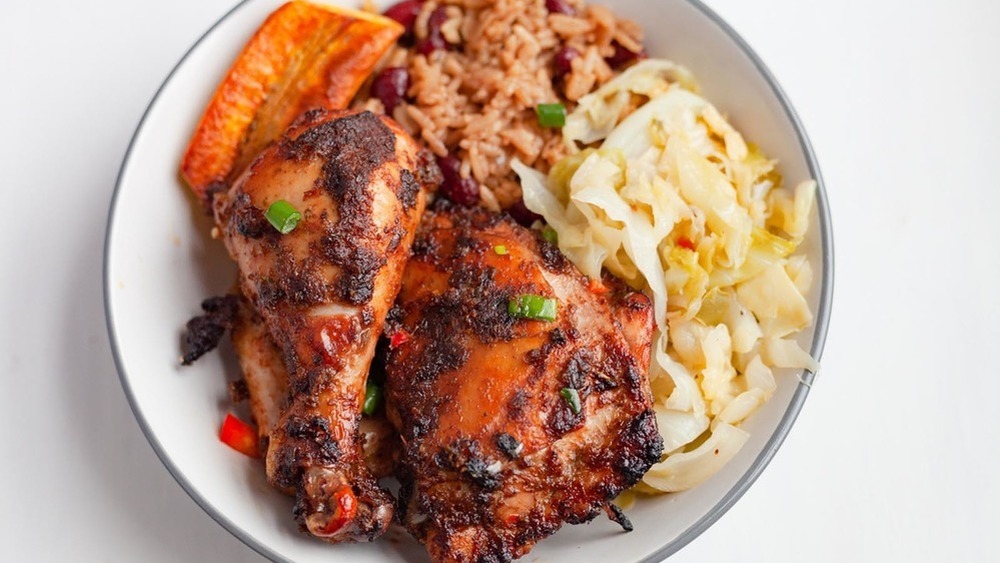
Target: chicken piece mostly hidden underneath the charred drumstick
x,y
266,381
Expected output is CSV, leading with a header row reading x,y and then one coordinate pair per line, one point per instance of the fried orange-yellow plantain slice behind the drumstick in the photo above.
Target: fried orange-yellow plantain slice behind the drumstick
x,y
303,56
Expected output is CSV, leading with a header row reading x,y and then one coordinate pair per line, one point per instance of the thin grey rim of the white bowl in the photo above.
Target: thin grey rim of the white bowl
x,y
771,447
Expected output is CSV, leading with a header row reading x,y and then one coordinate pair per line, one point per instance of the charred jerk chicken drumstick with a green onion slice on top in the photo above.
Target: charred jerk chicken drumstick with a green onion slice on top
x,y
323,291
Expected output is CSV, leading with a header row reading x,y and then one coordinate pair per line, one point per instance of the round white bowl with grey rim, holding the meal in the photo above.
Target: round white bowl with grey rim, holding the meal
x,y
160,263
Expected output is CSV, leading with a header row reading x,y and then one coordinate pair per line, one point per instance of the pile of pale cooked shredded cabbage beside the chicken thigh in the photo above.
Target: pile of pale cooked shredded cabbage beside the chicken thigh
x,y
677,204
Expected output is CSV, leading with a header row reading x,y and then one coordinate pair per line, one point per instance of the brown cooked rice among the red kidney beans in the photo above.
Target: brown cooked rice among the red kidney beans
x,y
477,101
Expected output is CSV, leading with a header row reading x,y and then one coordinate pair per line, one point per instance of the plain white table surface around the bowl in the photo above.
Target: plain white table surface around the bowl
x,y
895,455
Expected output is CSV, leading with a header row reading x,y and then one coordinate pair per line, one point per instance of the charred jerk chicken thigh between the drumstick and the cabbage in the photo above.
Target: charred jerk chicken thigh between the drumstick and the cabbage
x,y
495,455
